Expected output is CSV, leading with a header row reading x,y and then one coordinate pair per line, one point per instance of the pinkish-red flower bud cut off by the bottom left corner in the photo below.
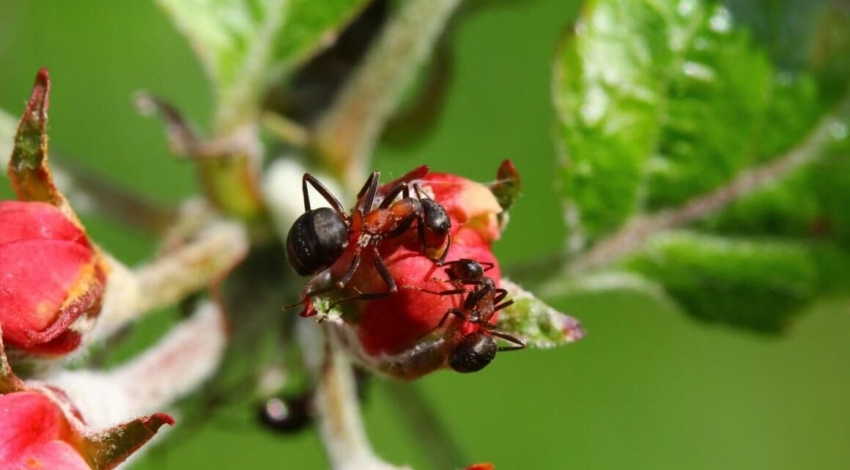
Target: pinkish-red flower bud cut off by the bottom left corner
x,y
36,434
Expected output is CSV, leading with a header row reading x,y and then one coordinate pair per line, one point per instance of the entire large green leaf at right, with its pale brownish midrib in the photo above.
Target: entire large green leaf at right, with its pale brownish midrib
x,y
663,105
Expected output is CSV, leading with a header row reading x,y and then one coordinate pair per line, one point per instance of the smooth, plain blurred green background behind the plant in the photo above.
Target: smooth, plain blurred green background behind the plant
x,y
647,389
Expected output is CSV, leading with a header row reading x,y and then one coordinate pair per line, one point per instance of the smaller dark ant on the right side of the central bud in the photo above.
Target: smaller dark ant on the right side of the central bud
x,y
476,349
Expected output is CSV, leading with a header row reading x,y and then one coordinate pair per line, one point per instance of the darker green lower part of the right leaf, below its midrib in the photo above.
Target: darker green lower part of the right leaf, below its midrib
x,y
755,283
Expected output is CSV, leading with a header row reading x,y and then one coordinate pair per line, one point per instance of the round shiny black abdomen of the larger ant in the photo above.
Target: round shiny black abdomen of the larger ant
x,y
316,240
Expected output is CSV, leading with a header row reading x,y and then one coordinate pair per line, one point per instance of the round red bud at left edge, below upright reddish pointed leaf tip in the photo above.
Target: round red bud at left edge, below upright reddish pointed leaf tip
x,y
50,276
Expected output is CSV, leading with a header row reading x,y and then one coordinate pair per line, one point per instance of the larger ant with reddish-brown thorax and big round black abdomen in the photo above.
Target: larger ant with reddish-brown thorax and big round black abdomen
x,y
319,237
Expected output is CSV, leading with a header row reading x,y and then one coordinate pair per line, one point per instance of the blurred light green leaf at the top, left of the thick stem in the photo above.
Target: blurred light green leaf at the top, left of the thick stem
x,y
244,45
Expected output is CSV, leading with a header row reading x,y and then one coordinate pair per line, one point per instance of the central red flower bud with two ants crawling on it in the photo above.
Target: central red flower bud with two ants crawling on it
x,y
398,334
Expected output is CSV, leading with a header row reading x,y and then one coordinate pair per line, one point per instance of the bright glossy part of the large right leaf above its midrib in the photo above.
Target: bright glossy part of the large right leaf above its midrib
x,y
662,101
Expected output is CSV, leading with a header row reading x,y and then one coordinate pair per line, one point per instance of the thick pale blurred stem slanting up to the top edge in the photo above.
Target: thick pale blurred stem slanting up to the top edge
x,y
347,135
